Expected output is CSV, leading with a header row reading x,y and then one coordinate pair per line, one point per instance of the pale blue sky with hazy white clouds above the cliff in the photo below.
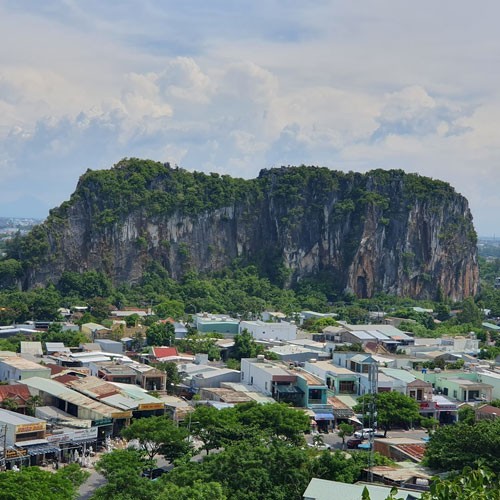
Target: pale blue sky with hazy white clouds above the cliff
x,y
234,87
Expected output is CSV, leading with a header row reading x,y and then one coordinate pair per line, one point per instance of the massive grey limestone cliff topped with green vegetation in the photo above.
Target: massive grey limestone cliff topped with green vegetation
x,y
384,231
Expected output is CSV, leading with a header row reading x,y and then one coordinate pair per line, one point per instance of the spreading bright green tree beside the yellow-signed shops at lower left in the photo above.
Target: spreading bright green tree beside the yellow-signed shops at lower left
x,y
158,435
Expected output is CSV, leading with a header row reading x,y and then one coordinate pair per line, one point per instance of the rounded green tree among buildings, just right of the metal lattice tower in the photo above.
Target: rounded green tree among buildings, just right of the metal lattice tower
x,y
393,408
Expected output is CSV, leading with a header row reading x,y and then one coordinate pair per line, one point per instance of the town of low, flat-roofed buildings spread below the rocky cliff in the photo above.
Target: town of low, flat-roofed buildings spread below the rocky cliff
x,y
369,388
